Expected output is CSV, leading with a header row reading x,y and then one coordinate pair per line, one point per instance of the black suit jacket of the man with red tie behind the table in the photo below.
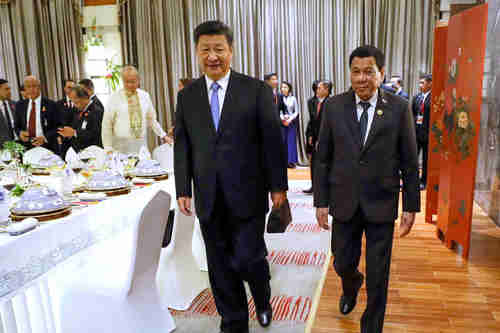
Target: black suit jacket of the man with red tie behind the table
x,y
49,116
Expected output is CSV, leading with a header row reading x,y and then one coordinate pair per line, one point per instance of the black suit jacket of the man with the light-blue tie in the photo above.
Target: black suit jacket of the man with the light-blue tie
x,y
245,158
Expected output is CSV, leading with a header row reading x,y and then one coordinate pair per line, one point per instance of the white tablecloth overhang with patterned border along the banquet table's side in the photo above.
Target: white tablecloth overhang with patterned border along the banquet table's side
x,y
26,258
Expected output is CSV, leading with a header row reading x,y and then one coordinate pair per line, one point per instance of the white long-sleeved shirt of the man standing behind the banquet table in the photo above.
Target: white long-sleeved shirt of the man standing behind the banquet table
x,y
116,132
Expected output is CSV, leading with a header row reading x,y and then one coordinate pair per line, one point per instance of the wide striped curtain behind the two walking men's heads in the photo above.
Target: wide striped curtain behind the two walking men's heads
x,y
301,40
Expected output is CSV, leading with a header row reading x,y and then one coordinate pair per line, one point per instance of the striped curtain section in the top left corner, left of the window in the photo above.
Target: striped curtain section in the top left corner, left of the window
x,y
42,38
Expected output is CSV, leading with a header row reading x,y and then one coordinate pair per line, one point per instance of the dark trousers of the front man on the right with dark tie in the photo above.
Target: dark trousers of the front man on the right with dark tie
x,y
346,244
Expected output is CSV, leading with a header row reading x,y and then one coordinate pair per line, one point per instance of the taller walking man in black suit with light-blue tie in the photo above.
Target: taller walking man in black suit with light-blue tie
x,y
228,142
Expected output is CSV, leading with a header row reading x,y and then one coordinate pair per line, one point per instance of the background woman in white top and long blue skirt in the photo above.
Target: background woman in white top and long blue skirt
x,y
289,120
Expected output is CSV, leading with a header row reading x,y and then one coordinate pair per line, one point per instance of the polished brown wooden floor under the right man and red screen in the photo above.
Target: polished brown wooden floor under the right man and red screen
x,y
432,289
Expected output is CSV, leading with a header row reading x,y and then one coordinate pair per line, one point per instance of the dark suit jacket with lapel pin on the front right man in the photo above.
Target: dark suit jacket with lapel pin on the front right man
x,y
349,176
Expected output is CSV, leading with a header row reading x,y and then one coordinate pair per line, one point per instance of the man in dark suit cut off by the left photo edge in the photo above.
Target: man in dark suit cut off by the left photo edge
x,y
7,114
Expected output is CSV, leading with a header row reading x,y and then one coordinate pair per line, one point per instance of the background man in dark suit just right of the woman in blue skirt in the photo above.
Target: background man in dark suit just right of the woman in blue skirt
x,y
316,108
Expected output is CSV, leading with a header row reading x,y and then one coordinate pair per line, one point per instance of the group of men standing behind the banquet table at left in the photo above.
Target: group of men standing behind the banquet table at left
x,y
79,119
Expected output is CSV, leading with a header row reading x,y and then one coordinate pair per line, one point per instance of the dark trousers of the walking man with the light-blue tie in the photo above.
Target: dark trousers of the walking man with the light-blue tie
x,y
236,252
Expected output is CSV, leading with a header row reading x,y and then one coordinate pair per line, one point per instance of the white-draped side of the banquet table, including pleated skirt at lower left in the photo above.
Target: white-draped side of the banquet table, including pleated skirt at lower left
x,y
26,261
